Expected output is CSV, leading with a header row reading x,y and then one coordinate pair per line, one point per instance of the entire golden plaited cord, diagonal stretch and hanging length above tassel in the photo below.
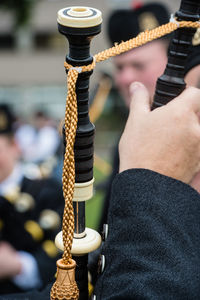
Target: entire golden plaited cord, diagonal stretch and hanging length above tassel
x,y
71,118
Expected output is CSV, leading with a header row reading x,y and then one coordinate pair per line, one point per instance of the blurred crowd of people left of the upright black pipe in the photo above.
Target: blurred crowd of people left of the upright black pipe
x,y
31,200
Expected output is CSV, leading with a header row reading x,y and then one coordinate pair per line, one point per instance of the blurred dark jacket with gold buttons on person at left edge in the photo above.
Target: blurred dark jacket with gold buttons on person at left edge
x,y
20,228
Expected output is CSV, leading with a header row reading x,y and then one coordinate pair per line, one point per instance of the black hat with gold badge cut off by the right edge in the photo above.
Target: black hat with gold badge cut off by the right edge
x,y
193,59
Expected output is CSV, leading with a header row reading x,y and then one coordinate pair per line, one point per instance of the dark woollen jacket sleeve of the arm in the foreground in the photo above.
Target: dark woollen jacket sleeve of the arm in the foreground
x,y
153,246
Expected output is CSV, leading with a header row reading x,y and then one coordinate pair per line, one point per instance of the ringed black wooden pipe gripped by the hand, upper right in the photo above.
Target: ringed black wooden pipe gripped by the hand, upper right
x,y
171,83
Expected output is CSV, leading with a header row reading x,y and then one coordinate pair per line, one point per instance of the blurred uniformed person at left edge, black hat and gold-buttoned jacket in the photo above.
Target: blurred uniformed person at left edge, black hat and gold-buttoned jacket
x,y
30,215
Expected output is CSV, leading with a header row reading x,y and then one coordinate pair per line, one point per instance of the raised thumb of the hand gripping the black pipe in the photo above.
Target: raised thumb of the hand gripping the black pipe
x,y
140,99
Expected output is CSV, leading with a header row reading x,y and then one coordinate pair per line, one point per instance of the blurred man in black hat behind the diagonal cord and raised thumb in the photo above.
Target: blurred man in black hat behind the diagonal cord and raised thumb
x,y
144,64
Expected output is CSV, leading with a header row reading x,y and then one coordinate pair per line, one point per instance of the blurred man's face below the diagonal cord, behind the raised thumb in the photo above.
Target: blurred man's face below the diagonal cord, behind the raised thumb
x,y
144,64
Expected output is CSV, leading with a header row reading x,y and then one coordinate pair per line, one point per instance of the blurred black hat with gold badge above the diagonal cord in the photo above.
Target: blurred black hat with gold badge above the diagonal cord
x,y
125,24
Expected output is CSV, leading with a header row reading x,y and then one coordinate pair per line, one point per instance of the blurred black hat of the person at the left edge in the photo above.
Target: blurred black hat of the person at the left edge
x,y
6,119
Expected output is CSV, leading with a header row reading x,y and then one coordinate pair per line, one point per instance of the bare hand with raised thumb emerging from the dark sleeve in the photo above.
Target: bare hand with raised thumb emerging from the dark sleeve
x,y
165,140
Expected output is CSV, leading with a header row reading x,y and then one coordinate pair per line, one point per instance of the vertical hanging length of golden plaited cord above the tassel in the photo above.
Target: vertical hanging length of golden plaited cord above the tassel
x,y
68,166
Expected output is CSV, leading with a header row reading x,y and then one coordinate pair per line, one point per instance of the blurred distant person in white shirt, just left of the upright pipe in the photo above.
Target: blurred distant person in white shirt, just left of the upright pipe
x,y
40,144
